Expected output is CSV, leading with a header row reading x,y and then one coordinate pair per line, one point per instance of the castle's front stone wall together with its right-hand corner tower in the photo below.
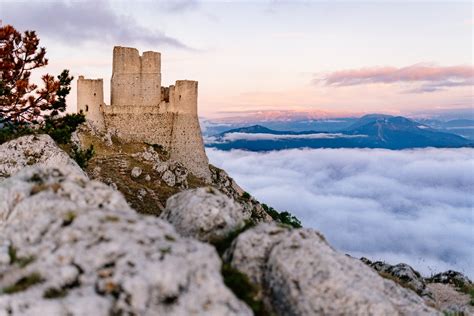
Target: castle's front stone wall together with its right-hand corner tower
x,y
173,125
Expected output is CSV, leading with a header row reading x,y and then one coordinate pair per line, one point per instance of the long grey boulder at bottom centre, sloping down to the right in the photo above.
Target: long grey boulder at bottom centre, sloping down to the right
x,y
302,275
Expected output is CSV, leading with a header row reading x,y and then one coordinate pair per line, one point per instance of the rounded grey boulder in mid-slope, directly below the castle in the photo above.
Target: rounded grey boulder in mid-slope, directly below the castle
x,y
205,214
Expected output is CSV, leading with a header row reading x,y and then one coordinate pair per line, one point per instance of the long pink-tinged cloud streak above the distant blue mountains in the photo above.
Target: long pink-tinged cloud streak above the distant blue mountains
x,y
431,77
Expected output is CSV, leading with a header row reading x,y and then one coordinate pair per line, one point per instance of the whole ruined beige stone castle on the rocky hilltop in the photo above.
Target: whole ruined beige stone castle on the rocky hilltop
x,y
141,110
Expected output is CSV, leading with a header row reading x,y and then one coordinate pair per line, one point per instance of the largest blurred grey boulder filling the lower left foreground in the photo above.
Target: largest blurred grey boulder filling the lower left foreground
x,y
71,246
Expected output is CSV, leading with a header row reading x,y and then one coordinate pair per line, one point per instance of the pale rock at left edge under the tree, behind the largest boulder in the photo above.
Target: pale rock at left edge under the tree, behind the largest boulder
x,y
32,150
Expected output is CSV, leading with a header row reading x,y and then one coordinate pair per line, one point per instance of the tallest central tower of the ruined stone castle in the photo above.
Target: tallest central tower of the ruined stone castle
x,y
136,80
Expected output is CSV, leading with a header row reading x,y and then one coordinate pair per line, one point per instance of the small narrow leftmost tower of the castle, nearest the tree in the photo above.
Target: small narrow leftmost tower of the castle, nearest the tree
x,y
90,99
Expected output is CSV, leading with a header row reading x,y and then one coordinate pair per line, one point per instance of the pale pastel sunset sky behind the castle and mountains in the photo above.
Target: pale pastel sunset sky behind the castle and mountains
x,y
332,58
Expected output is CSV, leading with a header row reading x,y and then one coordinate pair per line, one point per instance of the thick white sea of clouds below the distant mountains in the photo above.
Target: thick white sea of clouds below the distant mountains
x,y
412,206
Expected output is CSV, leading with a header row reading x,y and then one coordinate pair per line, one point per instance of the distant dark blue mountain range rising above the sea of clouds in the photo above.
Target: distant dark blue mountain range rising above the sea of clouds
x,y
369,131
